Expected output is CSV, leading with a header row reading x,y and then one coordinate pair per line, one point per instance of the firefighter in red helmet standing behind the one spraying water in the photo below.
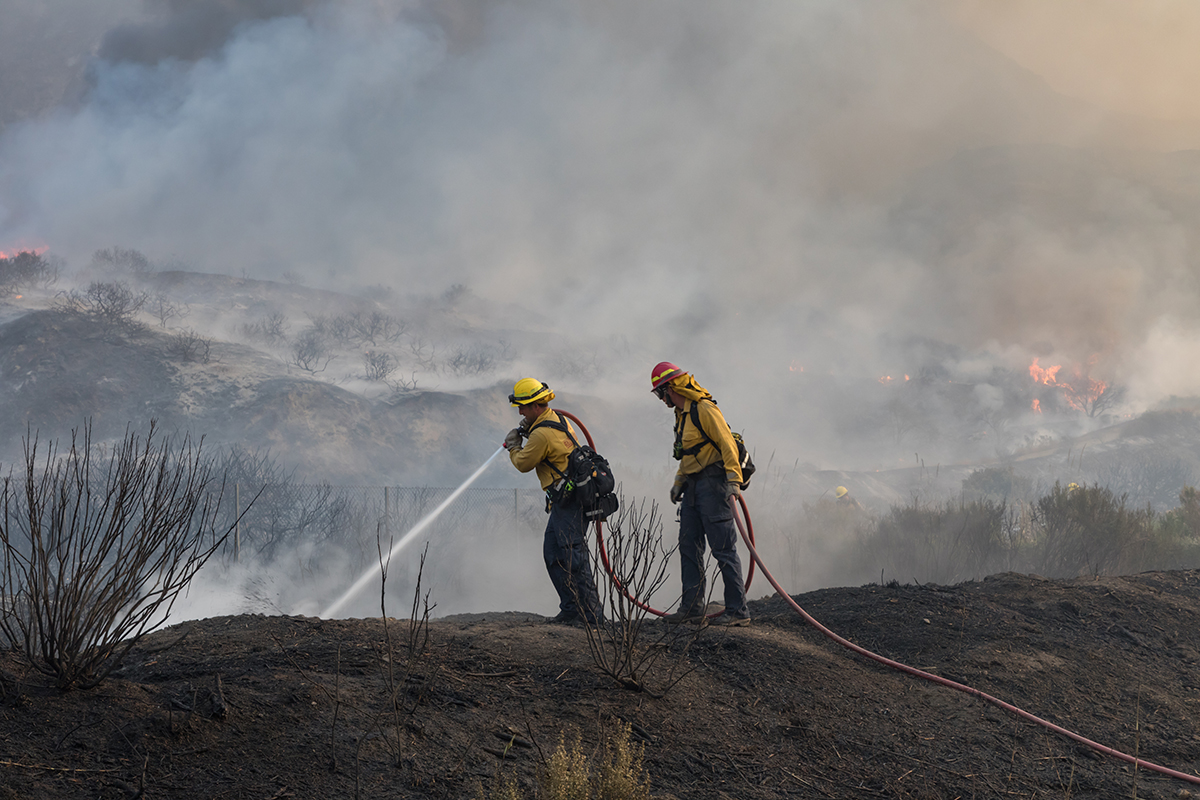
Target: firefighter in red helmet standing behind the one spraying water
x,y
709,479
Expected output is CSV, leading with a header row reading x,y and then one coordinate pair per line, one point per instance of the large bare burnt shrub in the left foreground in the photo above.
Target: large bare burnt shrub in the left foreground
x,y
95,549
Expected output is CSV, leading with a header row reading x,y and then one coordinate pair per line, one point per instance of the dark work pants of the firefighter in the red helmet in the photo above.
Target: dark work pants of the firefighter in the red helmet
x,y
706,515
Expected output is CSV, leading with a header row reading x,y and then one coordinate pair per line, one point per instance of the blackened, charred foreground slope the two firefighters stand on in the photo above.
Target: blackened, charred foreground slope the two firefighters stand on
x,y
284,707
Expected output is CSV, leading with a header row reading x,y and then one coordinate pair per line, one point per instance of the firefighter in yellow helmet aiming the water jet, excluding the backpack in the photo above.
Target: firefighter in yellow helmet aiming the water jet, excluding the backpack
x,y
565,549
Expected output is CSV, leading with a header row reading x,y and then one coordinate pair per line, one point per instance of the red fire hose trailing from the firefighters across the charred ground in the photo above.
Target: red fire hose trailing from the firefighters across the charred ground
x,y
747,532
